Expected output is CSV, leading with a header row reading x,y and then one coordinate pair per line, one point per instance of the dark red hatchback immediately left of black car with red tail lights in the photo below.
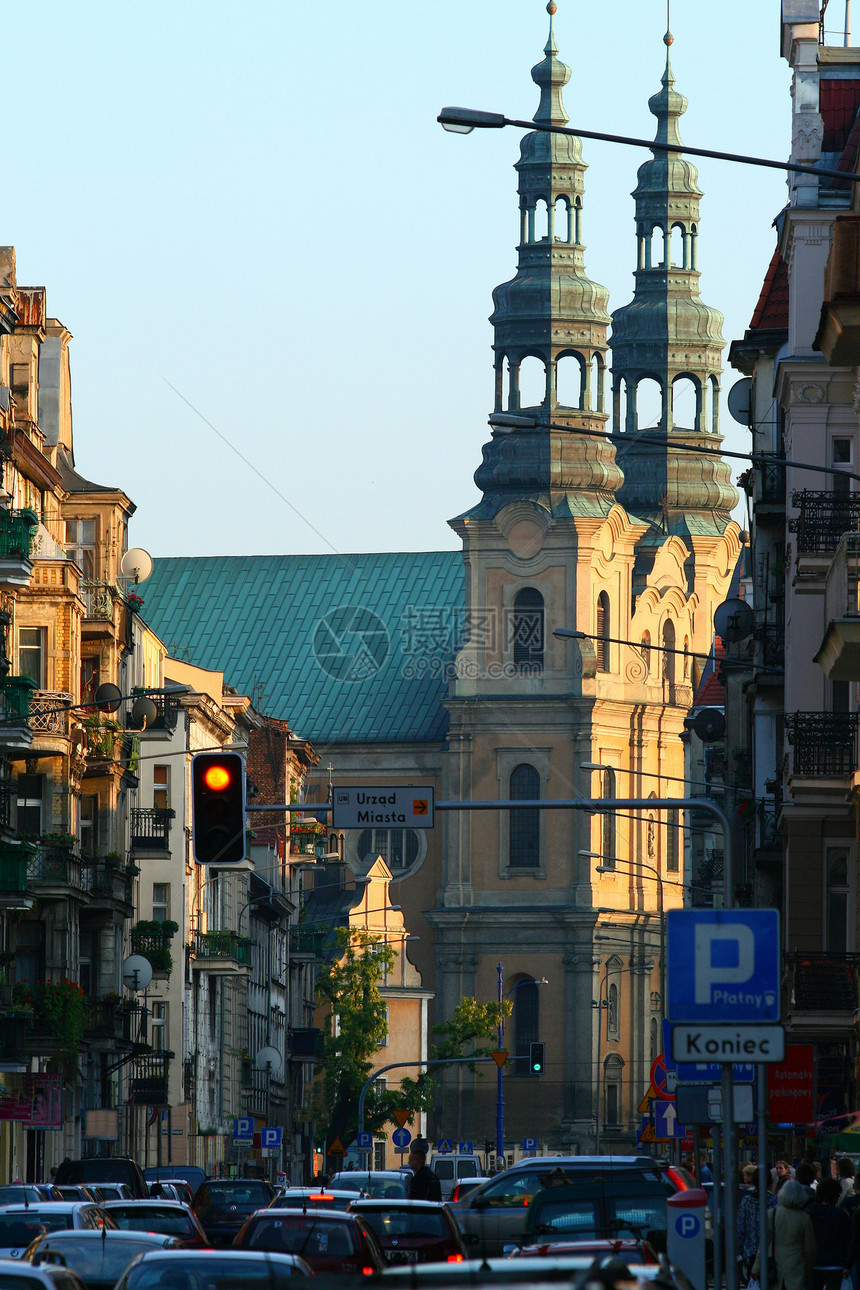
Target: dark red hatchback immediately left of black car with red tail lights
x,y
328,1240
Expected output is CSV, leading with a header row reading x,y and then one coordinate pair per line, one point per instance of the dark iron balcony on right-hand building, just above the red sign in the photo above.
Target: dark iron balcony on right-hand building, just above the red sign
x,y
821,993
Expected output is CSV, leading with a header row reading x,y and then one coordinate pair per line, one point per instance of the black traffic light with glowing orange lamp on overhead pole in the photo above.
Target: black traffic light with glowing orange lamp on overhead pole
x,y
219,808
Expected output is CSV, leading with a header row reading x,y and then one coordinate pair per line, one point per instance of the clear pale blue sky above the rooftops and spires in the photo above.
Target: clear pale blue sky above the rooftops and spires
x,y
264,243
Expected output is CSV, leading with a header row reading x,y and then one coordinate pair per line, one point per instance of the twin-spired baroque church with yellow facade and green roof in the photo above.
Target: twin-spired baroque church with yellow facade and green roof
x,y
444,669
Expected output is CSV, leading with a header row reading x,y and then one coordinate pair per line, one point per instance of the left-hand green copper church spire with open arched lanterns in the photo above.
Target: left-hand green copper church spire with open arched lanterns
x,y
551,318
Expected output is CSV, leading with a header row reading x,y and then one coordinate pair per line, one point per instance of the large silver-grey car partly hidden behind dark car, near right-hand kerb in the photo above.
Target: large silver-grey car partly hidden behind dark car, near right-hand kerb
x,y
494,1216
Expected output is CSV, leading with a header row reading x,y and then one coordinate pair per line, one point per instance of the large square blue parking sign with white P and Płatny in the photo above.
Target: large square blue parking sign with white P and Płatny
x,y
724,966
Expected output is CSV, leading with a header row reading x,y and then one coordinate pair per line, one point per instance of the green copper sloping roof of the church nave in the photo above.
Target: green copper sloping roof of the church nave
x,y
349,650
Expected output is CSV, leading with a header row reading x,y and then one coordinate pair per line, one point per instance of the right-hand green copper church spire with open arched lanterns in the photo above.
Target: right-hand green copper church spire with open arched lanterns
x,y
669,344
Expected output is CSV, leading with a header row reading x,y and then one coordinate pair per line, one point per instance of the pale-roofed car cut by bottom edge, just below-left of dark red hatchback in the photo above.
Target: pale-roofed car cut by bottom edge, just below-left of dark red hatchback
x,y
190,1270
